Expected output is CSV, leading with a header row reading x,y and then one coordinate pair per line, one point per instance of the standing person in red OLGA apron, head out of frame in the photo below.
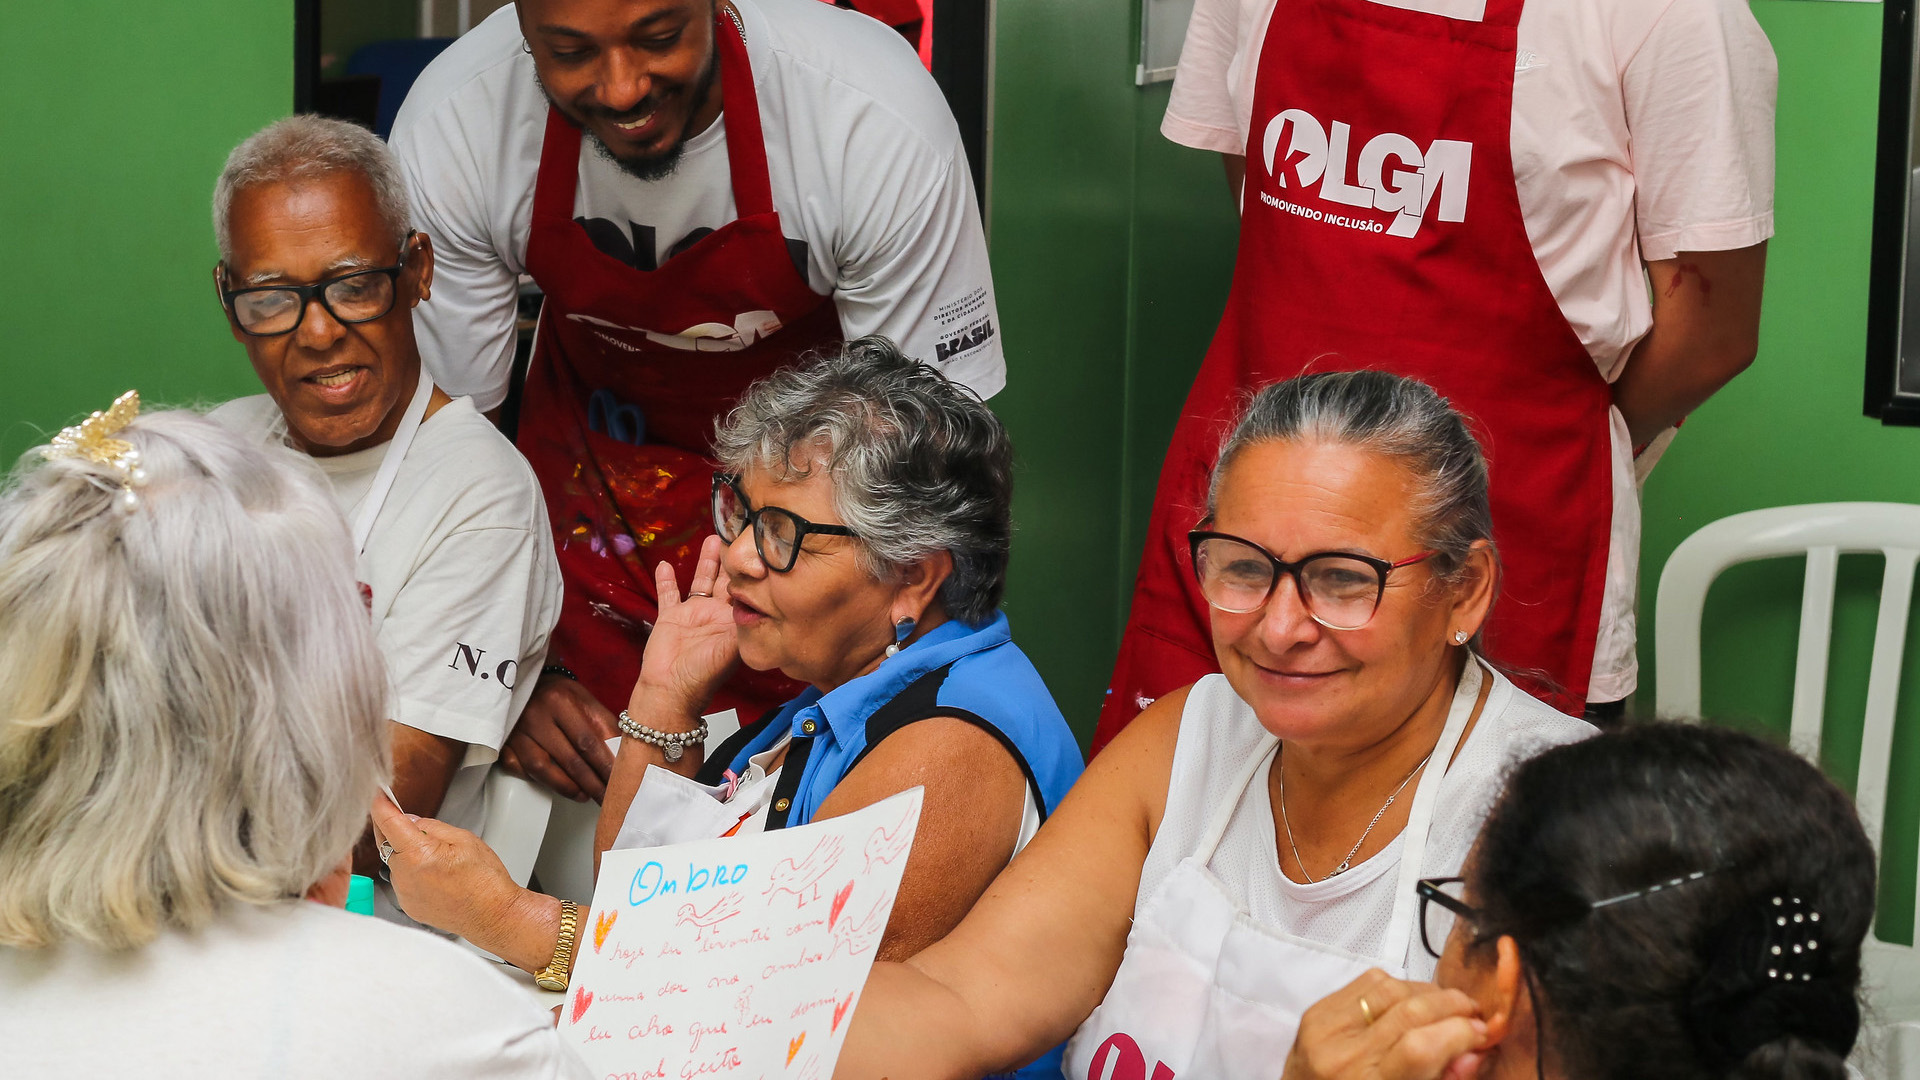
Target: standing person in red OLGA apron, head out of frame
x,y
1479,195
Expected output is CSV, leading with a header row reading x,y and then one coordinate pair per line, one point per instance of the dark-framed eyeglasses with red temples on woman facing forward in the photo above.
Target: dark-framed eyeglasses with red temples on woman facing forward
x,y
1341,591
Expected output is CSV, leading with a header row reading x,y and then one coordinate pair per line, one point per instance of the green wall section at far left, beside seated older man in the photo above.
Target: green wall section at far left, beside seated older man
x,y
116,124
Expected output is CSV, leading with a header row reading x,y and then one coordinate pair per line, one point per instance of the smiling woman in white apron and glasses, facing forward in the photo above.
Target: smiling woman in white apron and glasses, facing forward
x,y
1255,841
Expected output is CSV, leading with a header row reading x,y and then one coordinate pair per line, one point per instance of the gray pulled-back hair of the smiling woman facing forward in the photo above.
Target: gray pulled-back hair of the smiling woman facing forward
x,y
1391,416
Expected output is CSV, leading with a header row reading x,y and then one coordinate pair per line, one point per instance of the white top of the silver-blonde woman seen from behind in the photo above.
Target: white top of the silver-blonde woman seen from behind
x,y
295,991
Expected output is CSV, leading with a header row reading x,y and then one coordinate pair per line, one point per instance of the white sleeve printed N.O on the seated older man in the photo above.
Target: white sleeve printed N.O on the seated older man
x,y
466,637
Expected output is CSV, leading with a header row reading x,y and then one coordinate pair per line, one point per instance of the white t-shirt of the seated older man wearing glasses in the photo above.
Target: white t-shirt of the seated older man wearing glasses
x,y
466,587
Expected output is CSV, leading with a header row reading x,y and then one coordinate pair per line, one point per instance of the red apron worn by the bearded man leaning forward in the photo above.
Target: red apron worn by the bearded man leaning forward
x,y
631,370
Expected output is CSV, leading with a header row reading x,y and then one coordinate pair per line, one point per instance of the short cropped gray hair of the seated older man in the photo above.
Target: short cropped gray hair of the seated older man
x,y
302,147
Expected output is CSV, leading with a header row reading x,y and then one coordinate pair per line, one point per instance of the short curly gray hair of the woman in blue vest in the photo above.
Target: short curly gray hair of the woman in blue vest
x,y
919,464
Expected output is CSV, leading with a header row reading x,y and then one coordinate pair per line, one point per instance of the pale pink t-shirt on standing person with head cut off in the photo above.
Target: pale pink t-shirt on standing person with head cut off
x,y
1641,130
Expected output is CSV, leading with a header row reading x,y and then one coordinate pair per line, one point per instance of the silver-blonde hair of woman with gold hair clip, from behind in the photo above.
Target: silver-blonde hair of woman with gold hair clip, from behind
x,y
191,697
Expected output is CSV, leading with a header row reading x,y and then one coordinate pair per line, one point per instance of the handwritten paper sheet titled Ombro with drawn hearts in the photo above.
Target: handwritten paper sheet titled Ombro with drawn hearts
x,y
736,958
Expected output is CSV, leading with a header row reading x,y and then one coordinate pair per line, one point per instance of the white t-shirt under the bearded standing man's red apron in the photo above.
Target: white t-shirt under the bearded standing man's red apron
x,y
863,153
